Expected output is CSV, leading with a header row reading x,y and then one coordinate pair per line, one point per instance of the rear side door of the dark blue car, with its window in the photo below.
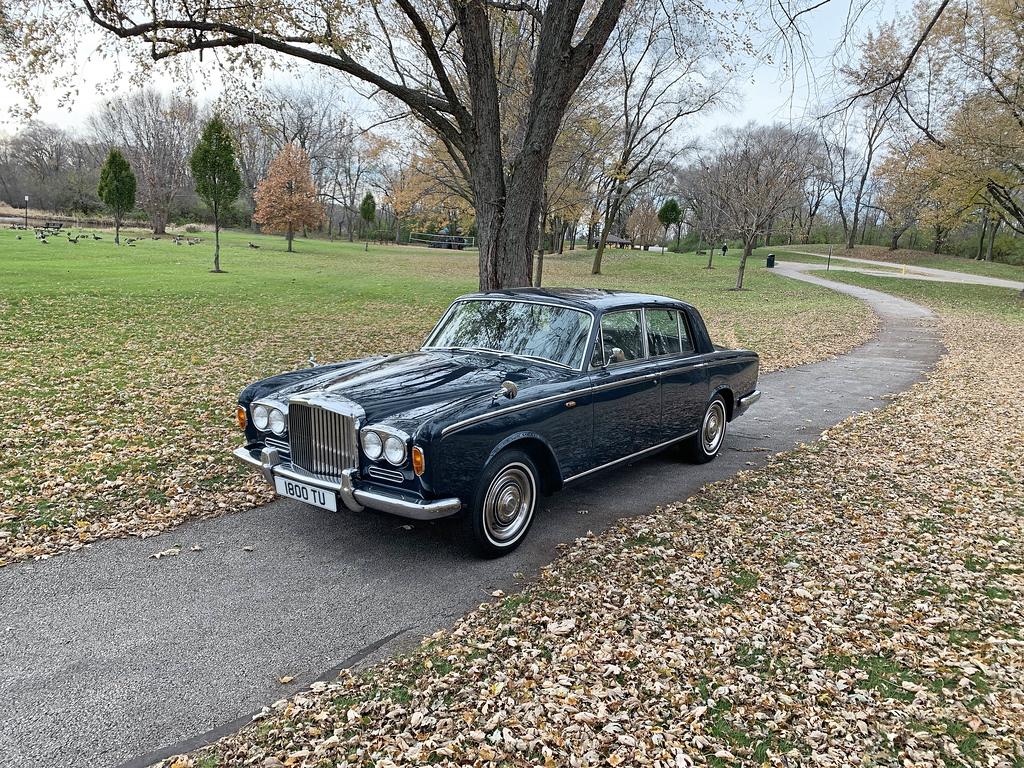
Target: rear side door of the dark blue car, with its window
x,y
684,373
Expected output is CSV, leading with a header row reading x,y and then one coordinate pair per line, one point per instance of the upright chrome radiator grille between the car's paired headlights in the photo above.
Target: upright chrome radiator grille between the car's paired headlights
x,y
322,442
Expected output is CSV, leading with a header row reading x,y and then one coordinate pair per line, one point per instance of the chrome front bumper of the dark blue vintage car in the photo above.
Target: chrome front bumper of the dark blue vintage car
x,y
347,489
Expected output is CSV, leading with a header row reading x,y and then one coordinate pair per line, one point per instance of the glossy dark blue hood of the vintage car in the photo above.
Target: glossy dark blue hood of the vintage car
x,y
410,390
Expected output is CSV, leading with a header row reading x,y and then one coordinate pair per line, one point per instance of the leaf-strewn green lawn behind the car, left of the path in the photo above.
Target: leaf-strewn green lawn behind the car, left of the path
x,y
121,365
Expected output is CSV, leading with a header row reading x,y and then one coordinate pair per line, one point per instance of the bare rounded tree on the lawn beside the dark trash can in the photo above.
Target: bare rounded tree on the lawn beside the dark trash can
x,y
758,173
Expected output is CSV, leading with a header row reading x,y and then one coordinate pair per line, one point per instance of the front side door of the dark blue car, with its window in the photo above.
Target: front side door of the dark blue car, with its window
x,y
627,397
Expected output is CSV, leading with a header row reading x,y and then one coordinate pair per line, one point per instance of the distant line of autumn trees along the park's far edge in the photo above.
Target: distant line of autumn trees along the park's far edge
x,y
925,162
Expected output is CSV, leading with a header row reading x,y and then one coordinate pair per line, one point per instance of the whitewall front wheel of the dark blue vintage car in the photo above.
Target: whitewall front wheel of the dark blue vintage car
x,y
506,499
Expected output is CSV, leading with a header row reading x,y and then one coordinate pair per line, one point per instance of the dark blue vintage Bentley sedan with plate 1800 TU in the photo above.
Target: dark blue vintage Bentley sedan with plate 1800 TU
x,y
515,395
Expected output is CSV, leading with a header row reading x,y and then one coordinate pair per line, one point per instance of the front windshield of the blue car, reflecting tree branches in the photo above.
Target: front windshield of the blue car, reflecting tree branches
x,y
549,333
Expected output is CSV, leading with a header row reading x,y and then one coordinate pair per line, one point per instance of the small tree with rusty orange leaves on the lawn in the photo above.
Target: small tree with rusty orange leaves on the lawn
x,y
287,198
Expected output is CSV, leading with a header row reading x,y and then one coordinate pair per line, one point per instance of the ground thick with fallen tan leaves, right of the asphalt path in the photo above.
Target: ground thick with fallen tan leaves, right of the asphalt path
x,y
858,602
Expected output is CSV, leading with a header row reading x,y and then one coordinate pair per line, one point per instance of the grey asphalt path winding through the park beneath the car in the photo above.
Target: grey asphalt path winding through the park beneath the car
x,y
109,658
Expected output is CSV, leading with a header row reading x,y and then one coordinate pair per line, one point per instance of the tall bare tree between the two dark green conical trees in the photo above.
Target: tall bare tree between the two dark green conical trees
x,y
157,134
